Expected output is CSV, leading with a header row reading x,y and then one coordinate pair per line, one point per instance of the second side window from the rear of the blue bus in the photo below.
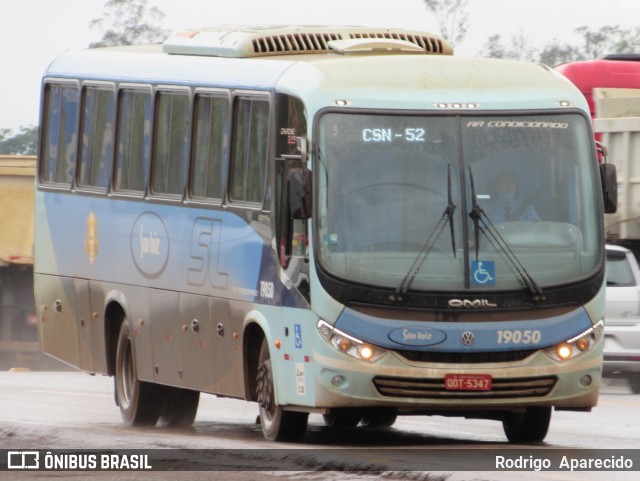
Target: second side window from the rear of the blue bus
x,y
96,154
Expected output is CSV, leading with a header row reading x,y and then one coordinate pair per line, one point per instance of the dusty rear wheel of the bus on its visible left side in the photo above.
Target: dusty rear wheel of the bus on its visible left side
x,y
138,400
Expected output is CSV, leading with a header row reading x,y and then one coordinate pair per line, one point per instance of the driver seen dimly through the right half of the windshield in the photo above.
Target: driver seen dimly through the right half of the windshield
x,y
505,205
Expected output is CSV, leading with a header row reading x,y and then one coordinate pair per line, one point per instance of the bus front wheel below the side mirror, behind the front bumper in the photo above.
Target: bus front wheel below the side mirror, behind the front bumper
x,y
277,424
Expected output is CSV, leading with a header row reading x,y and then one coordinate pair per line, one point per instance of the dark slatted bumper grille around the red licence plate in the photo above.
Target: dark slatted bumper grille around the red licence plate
x,y
423,388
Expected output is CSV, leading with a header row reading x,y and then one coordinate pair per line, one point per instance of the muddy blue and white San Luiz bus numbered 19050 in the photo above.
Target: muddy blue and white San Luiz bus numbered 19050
x,y
299,217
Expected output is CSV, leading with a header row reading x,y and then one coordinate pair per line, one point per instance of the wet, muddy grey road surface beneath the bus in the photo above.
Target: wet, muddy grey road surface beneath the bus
x,y
75,411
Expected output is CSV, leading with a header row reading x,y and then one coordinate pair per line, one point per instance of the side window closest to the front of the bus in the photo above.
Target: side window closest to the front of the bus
x,y
249,151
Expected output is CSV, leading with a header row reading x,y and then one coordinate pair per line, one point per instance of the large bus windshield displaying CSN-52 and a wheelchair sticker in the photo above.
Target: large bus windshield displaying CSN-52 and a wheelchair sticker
x,y
479,198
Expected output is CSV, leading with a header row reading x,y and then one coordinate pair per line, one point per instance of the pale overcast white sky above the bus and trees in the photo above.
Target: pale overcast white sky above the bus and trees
x,y
33,32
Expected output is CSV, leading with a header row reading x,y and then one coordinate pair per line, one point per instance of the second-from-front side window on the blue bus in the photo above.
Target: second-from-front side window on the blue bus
x,y
210,147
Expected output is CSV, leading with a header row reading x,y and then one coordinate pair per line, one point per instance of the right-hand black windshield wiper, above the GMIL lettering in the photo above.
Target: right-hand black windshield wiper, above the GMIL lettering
x,y
478,215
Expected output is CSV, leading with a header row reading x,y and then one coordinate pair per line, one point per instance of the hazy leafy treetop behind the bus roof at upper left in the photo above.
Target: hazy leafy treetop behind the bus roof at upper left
x,y
129,22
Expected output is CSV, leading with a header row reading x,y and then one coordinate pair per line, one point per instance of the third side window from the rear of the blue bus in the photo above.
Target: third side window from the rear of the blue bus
x,y
134,135
